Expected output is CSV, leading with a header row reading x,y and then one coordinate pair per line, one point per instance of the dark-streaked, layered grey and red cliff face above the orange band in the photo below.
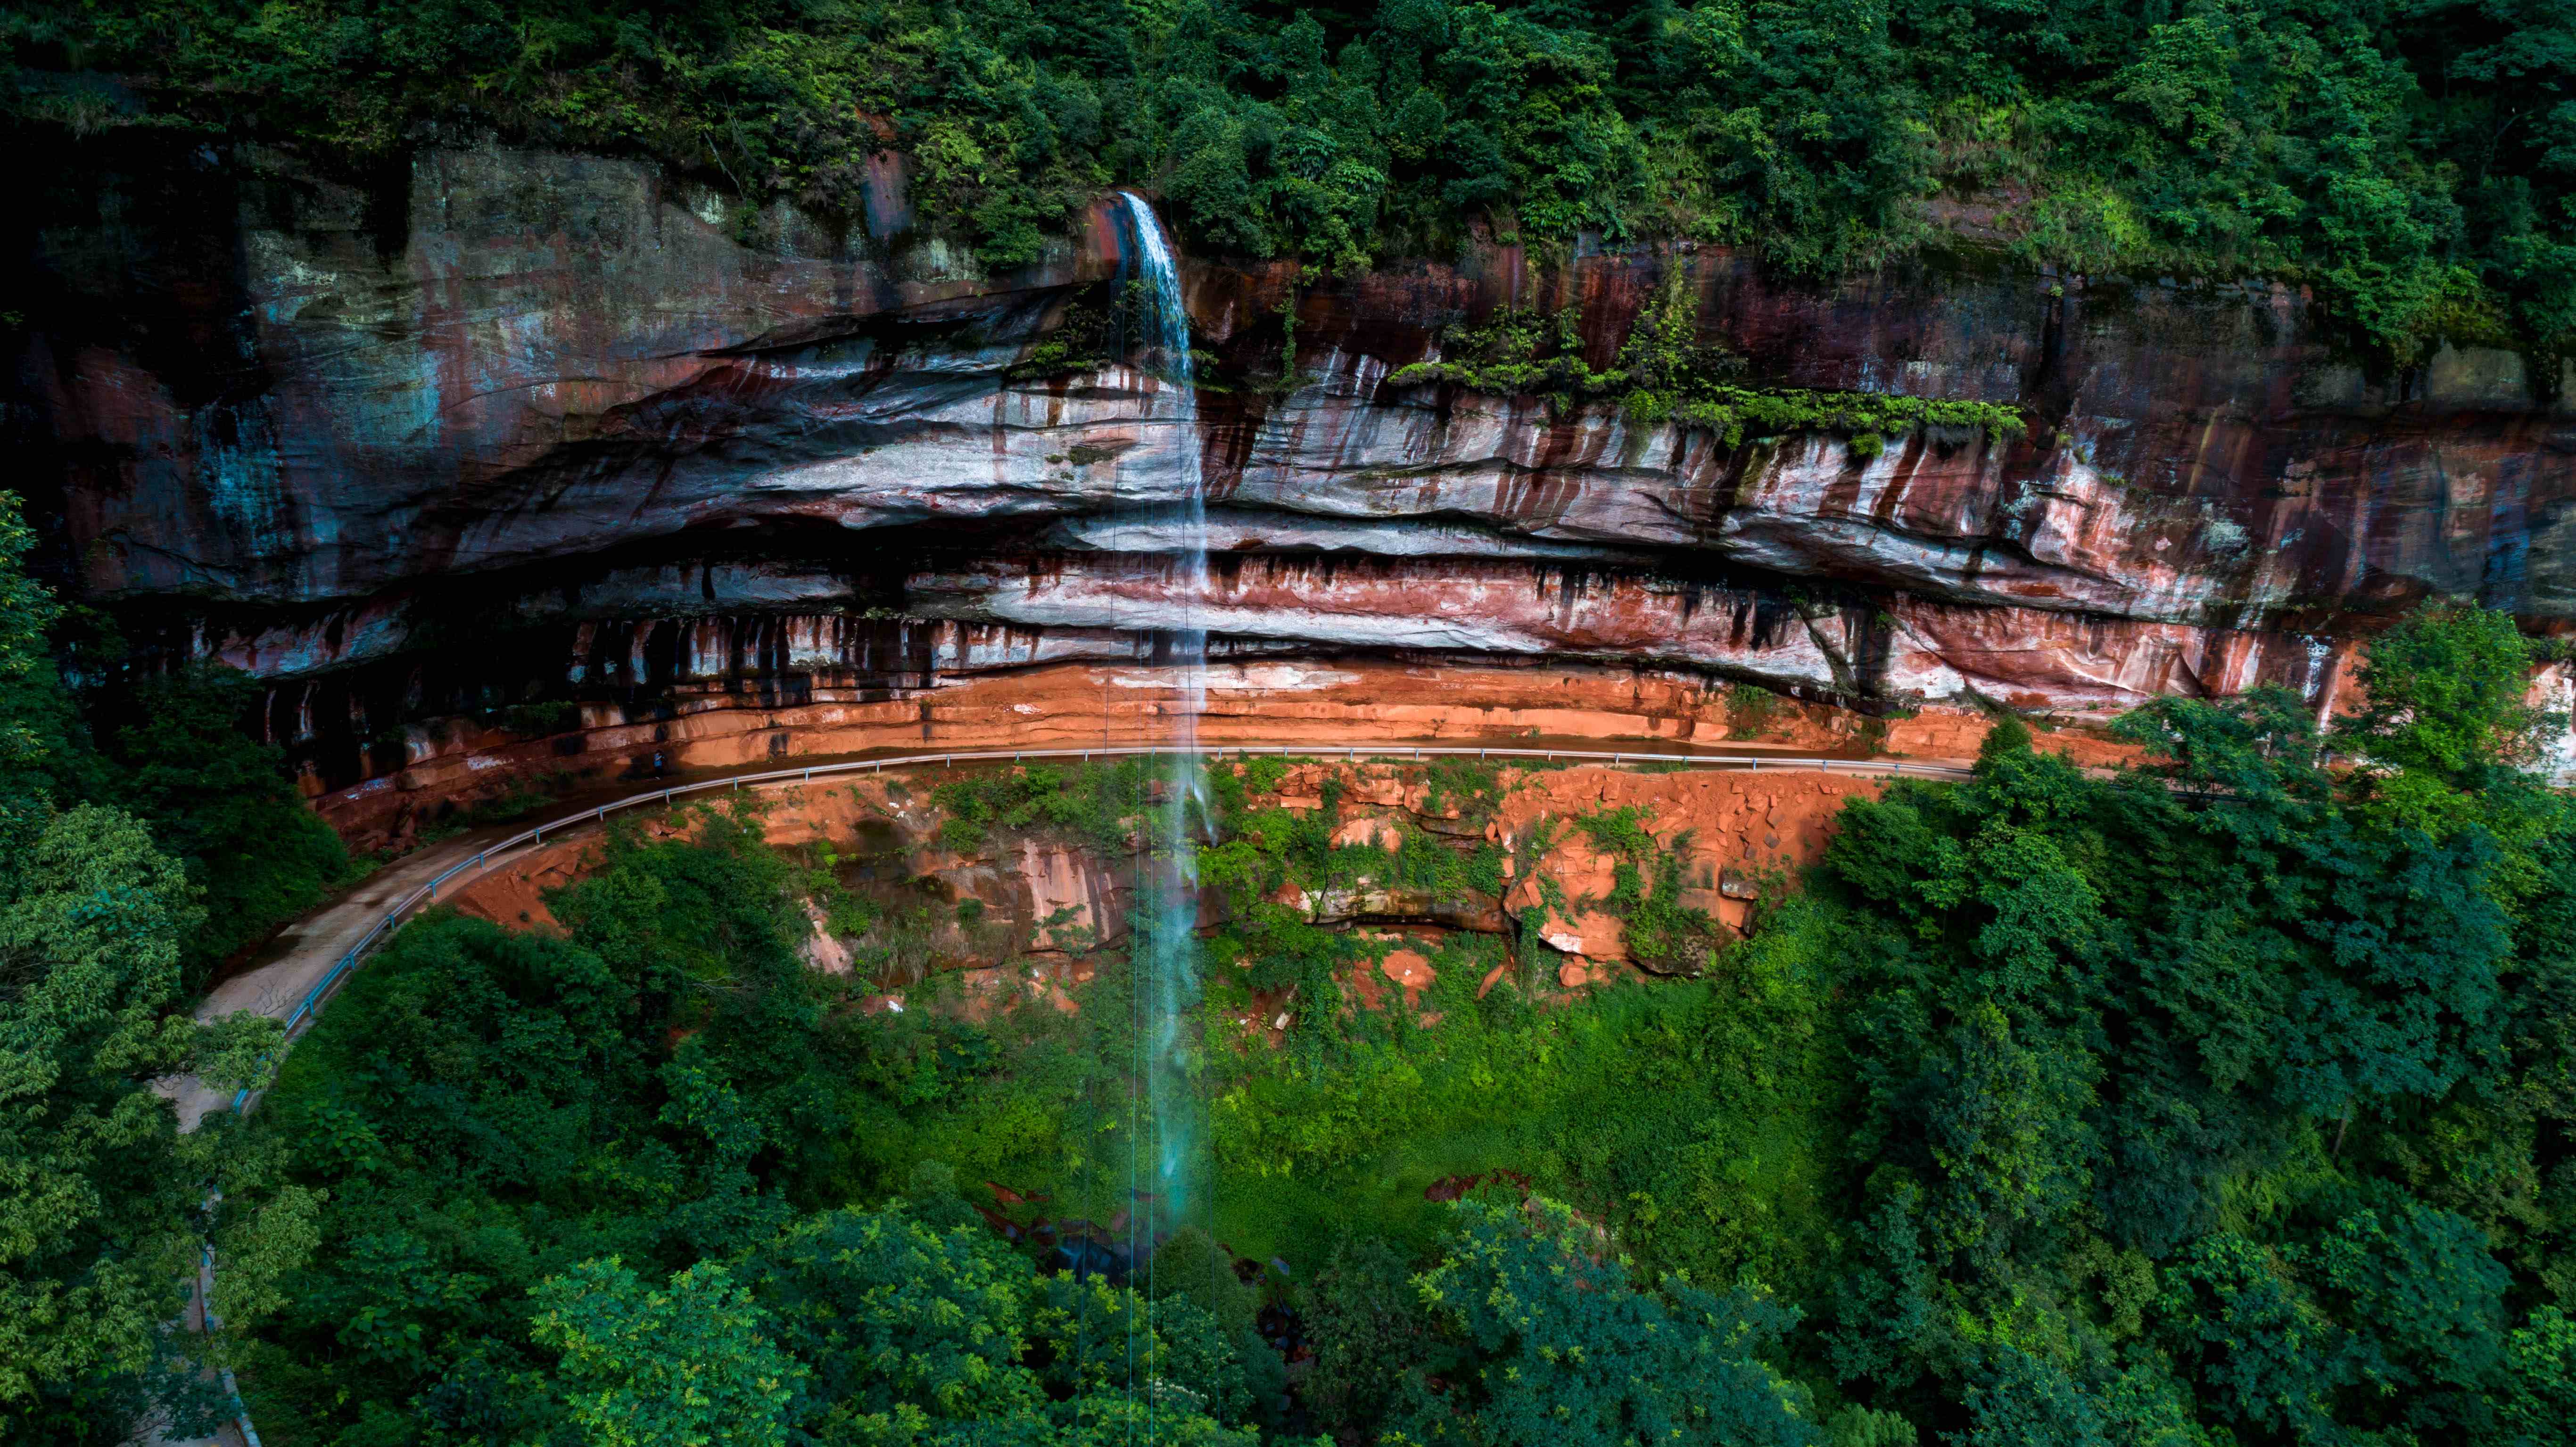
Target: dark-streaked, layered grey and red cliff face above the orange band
x,y
535,426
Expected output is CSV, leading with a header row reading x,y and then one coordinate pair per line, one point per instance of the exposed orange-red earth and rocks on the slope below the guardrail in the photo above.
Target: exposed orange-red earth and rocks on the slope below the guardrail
x,y
1029,908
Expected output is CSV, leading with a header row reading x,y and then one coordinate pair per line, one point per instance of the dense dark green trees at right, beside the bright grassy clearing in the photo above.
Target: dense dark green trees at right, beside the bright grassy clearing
x,y
2191,1093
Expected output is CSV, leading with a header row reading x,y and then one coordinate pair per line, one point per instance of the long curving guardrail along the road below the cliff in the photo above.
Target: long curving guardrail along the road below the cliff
x,y
429,895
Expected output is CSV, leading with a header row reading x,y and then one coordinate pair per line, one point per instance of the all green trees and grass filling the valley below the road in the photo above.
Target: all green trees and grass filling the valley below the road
x,y
2219,1101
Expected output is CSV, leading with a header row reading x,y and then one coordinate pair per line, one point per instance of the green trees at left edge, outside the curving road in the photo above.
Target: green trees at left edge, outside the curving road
x,y
102,1199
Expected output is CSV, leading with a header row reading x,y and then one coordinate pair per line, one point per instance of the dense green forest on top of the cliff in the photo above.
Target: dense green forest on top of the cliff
x,y
2415,161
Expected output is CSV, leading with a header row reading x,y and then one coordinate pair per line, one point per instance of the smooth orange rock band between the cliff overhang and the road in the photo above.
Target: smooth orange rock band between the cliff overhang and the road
x,y
1078,707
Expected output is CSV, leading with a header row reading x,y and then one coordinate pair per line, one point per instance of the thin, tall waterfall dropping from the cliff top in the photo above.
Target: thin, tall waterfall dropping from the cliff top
x,y
1168,985
